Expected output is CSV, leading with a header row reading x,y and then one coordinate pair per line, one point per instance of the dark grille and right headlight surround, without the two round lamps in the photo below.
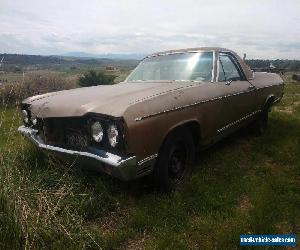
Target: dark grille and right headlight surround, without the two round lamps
x,y
74,132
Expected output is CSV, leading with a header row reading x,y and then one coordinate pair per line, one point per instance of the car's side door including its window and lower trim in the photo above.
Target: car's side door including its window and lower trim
x,y
237,93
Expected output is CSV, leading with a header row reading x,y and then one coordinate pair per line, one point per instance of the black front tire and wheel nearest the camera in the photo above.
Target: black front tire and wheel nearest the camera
x,y
175,160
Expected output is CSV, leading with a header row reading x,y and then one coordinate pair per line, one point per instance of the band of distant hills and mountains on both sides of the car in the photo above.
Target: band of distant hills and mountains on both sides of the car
x,y
127,61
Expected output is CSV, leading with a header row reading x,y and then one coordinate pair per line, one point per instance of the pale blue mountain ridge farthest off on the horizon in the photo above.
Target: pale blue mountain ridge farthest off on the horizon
x,y
118,56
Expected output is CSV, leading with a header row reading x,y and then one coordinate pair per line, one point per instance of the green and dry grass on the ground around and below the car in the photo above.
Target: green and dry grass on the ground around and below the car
x,y
244,184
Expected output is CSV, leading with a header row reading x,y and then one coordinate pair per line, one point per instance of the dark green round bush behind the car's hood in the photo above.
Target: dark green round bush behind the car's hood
x,y
92,78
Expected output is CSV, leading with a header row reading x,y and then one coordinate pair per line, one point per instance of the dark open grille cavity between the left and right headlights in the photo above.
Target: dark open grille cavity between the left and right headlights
x,y
69,133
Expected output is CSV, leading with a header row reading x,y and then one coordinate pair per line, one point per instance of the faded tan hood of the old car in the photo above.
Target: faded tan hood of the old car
x,y
109,99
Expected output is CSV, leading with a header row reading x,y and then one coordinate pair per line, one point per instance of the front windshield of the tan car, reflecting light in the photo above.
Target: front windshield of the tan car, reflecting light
x,y
190,66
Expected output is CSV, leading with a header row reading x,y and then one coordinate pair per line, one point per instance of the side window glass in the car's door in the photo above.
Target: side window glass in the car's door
x,y
227,69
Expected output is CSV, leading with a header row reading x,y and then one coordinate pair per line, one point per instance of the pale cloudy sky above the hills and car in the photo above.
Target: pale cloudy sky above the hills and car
x,y
266,29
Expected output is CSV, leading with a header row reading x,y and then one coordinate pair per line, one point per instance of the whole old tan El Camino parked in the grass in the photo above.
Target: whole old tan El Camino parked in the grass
x,y
172,104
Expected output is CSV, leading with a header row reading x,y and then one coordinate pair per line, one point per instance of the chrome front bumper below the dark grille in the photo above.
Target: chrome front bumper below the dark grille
x,y
124,168
